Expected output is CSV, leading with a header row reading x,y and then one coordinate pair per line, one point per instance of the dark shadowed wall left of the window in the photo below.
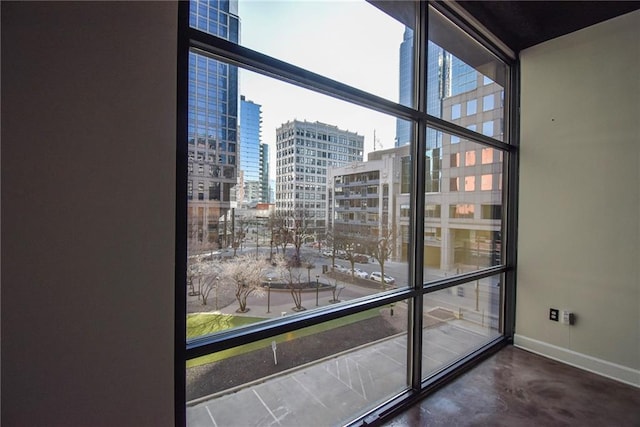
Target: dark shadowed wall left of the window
x,y
88,179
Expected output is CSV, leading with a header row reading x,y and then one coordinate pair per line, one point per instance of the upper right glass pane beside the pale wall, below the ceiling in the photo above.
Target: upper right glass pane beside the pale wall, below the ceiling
x,y
465,82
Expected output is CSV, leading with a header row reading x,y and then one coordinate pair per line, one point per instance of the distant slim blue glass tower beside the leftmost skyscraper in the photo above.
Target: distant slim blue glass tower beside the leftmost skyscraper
x,y
250,152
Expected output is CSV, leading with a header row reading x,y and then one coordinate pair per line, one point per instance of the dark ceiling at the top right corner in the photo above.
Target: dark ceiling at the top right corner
x,y
522,24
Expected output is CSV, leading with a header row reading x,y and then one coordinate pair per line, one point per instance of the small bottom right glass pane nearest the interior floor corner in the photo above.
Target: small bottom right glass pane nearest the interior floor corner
x,y
458,320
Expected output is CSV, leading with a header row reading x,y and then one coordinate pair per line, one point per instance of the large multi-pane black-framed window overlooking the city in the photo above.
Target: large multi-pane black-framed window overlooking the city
x,y
382,259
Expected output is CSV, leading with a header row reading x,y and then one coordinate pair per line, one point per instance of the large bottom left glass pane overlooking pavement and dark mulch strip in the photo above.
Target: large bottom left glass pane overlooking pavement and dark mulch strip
x,y
321,375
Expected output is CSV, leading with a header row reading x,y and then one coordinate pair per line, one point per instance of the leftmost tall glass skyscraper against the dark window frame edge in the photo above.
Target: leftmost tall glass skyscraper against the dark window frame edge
x,y
213,128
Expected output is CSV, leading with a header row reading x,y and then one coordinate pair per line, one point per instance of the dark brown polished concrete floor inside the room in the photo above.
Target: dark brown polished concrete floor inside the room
x,y
518,388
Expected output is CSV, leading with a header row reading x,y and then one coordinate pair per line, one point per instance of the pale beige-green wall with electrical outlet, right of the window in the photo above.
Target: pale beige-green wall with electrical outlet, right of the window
x,y
579,222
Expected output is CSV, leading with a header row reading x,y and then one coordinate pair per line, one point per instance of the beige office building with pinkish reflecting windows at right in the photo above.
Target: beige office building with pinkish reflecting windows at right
x,y
463,220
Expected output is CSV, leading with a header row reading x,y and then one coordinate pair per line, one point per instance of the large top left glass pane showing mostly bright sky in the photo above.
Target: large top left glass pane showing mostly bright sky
x,y
354,42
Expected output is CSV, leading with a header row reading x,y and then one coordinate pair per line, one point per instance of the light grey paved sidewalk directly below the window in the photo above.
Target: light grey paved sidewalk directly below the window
x,y
330,391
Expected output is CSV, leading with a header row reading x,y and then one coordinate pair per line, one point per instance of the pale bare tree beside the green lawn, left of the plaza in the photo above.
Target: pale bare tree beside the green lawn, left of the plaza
x,y
244,275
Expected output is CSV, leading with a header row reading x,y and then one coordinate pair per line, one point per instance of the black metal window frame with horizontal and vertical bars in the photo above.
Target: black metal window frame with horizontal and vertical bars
x,y
190,39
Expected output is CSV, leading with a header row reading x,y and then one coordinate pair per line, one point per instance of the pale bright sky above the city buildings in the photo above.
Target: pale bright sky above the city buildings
x,y
323,37
